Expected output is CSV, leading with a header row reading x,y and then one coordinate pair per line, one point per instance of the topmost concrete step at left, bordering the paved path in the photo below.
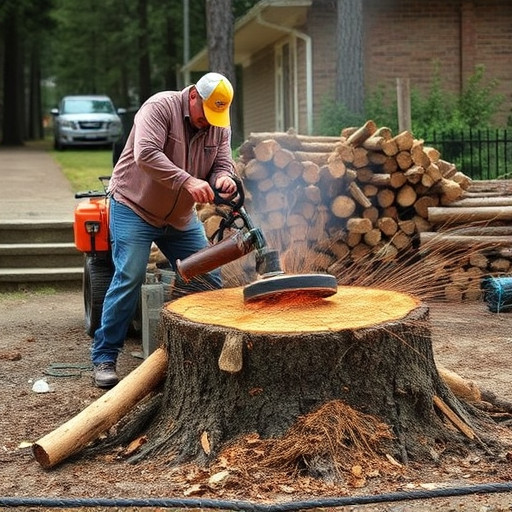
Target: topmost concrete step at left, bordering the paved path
x,y
36,231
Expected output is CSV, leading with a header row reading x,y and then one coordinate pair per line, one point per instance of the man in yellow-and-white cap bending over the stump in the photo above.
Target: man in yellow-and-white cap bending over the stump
x,y
178,150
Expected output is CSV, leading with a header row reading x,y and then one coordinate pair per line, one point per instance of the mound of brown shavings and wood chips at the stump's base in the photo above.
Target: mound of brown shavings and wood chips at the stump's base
x,y
332,444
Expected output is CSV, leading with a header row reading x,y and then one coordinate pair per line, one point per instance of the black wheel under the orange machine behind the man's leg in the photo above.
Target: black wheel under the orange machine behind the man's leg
x,y
98,272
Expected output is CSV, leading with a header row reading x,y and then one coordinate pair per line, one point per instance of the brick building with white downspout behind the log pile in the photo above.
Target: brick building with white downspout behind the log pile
x,y
287,52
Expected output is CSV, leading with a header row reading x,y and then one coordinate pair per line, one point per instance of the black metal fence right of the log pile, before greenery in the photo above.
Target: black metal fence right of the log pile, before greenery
x,y
479,154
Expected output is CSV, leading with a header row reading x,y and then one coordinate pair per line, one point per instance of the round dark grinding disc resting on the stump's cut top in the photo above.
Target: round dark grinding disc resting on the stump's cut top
x,y
309,286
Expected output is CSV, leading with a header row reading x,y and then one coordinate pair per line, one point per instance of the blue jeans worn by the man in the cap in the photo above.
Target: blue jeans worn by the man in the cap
x,y
131,239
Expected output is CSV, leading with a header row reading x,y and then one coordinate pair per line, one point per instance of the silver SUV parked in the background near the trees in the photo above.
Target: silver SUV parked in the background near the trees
x,y
86,121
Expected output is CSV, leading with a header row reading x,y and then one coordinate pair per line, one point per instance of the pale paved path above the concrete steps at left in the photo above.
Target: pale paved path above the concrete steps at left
x,y
32,186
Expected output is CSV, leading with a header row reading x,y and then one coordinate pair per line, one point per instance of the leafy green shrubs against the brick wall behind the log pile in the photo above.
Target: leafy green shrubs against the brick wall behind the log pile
x,y
458,125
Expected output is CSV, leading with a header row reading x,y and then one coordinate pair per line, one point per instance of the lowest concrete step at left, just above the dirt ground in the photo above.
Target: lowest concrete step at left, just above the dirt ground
x,y
19,278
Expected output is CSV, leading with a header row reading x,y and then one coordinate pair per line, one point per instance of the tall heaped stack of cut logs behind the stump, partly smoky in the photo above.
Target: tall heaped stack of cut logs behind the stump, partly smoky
x,y
327,203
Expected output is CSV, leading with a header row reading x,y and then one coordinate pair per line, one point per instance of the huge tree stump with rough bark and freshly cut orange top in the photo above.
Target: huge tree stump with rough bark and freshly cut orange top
x,y
238,368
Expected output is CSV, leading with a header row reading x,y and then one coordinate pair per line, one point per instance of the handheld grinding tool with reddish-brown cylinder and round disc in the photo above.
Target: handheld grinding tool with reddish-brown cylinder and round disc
x,y
237,236
